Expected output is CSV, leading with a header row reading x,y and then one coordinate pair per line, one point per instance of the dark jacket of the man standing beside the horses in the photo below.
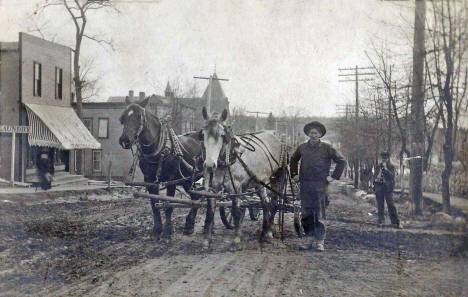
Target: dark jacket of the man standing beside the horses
x,y
316,161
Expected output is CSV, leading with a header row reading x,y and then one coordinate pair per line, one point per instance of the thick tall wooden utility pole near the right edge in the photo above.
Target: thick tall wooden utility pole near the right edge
x,y
417,107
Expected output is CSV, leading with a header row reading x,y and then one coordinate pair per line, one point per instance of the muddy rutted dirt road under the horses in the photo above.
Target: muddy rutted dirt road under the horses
x,y
99,245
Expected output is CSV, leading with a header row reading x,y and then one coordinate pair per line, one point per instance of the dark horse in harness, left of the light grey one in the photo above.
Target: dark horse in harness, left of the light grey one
x,y
161,160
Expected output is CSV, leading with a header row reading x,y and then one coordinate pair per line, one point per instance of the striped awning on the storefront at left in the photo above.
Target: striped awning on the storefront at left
x,y
58,127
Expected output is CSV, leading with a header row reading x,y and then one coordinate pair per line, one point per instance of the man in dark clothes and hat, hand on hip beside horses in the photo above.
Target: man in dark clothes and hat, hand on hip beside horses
x,y
315,157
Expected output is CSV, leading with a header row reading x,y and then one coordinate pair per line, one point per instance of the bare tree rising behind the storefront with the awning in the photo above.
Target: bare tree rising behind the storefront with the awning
x,y
79,11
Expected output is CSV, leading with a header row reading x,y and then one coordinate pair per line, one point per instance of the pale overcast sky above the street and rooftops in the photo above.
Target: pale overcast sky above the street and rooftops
x,y
279,55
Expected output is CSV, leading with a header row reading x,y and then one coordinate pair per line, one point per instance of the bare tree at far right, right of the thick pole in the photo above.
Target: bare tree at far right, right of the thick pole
x,y
446,58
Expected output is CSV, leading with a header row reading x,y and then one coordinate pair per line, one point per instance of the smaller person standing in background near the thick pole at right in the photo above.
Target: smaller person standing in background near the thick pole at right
x,y
384,182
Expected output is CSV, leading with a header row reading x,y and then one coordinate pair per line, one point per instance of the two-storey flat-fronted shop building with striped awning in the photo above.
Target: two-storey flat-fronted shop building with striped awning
x,y
35,91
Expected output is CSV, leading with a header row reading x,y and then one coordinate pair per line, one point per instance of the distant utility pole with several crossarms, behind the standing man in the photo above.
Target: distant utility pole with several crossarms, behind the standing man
x,y
356,80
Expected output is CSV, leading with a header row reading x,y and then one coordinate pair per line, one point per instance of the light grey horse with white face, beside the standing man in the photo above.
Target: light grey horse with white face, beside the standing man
x,y
239,163
